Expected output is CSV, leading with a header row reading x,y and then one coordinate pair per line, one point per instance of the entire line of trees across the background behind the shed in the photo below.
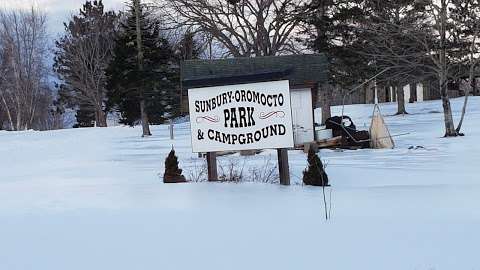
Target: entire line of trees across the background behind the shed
x,y
128,61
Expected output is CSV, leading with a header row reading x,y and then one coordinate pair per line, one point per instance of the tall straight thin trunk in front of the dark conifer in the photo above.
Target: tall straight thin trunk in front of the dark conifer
x,y
143,112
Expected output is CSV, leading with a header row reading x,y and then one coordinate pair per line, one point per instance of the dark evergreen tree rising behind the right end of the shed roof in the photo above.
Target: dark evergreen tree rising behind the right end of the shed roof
x,y
333,28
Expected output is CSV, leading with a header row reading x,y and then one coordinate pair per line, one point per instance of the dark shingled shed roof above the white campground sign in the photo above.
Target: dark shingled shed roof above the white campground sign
x,y
298,69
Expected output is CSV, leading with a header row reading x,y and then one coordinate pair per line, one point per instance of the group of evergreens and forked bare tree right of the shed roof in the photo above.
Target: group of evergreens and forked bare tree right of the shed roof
x,y
407,41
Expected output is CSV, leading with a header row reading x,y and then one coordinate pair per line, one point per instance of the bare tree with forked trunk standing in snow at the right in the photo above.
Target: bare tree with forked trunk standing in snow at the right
x,y
426,47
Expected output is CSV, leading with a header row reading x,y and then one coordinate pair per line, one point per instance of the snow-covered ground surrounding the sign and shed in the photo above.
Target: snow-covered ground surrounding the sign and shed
x,y
93,199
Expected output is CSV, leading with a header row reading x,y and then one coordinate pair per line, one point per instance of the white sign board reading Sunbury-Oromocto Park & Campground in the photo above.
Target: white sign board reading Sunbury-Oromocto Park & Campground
x,y
241,117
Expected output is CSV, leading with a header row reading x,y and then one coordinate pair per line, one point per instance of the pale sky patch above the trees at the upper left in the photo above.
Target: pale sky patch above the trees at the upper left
x,y
57,11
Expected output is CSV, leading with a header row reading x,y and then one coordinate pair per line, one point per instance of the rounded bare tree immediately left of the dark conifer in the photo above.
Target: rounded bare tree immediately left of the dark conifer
x,y
82,57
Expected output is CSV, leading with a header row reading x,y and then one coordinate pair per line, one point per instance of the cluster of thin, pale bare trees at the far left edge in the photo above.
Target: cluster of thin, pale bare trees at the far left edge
x,y
24,92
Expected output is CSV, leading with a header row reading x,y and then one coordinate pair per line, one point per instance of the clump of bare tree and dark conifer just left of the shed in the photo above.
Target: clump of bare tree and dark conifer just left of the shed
x,y
124,62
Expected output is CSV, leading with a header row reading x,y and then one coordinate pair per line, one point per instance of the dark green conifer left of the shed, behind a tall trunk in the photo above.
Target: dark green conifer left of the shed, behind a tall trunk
x,y
156,83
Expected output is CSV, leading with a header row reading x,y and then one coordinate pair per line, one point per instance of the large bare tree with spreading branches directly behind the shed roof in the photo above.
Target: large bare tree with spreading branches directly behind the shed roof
x,y
244,28
